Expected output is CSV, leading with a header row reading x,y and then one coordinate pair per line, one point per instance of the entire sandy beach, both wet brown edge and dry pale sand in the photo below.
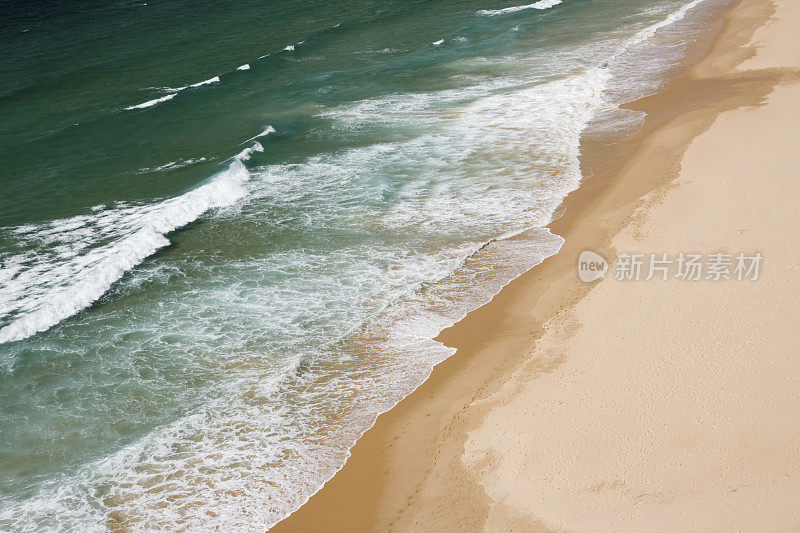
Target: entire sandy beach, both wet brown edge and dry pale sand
x,y
626,405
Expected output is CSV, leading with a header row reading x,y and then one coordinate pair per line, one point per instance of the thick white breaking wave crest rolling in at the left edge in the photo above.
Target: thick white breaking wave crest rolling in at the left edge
x,y
52,289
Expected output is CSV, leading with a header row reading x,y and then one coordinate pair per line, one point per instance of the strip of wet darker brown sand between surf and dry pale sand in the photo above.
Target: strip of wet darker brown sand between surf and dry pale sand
x,y
407,470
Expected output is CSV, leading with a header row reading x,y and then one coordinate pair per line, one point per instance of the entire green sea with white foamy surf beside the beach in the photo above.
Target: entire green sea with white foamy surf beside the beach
x,y
231,230
